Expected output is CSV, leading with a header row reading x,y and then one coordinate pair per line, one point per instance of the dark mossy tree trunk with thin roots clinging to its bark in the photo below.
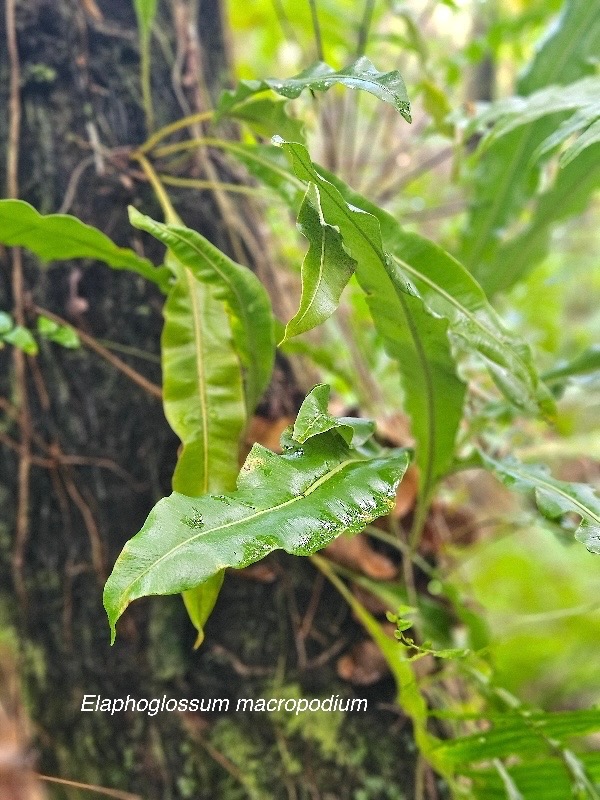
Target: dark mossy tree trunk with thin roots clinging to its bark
x,y
103,454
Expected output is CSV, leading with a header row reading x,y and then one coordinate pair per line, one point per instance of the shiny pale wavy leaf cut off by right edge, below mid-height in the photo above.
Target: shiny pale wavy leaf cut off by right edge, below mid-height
x,y
554,498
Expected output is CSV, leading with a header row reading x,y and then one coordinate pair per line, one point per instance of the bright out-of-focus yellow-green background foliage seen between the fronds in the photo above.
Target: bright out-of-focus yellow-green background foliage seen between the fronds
x,y
537,594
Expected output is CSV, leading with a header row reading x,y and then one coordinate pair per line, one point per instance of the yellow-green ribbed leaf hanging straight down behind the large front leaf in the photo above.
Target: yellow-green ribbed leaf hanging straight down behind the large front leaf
x,y
203,392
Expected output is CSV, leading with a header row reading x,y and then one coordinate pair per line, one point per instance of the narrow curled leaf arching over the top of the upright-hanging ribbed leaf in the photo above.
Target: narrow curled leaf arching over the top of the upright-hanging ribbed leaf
x,y
250,309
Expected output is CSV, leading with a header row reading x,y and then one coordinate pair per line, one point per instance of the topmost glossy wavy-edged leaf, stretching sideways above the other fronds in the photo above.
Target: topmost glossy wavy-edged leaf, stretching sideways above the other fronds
x,y
361,74
